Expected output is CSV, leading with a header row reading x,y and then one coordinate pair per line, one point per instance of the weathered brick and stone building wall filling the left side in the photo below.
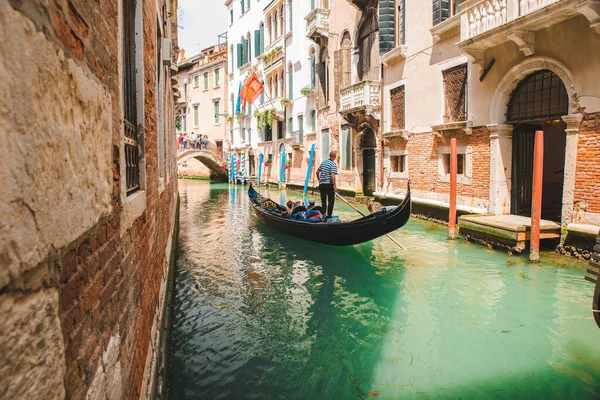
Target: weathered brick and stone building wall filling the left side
x,y
89,197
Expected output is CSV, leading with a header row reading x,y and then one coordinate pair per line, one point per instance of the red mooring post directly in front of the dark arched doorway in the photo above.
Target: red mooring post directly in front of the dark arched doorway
x,y
536,204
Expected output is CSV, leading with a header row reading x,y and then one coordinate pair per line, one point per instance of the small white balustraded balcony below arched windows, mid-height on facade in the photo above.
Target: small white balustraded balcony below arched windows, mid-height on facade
x,y
362,97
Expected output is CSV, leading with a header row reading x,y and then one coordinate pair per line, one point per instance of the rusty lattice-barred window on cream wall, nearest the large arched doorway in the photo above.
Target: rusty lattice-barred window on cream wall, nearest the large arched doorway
x,y
455,94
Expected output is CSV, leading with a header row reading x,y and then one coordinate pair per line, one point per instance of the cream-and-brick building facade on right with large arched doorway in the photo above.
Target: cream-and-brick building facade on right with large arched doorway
x,y
491,73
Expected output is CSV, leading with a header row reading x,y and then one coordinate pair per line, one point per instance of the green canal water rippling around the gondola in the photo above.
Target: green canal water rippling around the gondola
x,y
263,315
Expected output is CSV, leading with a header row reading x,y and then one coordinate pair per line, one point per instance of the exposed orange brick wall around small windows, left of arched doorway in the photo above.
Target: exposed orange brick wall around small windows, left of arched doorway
x,y
423,167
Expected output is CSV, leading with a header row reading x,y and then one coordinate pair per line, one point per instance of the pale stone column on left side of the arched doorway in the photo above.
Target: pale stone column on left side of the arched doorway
x,y
500,168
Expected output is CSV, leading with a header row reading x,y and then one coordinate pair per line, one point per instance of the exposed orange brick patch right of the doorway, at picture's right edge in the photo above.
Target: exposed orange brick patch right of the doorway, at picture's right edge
x,y
587,178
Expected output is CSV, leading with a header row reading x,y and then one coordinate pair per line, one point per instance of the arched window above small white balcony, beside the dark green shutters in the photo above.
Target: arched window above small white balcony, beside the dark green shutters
x,y
368,49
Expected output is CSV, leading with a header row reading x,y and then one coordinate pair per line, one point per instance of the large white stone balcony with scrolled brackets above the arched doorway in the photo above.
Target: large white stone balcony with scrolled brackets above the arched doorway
x,y
489,23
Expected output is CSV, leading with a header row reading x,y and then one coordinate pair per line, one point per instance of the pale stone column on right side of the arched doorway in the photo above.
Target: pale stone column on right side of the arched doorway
x,y
572,131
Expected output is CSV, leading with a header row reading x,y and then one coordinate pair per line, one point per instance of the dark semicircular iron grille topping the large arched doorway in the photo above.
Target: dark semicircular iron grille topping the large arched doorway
x,y
539,97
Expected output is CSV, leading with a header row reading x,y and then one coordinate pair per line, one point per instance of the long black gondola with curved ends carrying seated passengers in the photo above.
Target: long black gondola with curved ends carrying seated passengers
x,y
361,230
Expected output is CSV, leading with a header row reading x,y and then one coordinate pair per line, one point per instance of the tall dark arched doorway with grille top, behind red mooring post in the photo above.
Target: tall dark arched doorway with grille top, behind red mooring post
x,y
538,103
